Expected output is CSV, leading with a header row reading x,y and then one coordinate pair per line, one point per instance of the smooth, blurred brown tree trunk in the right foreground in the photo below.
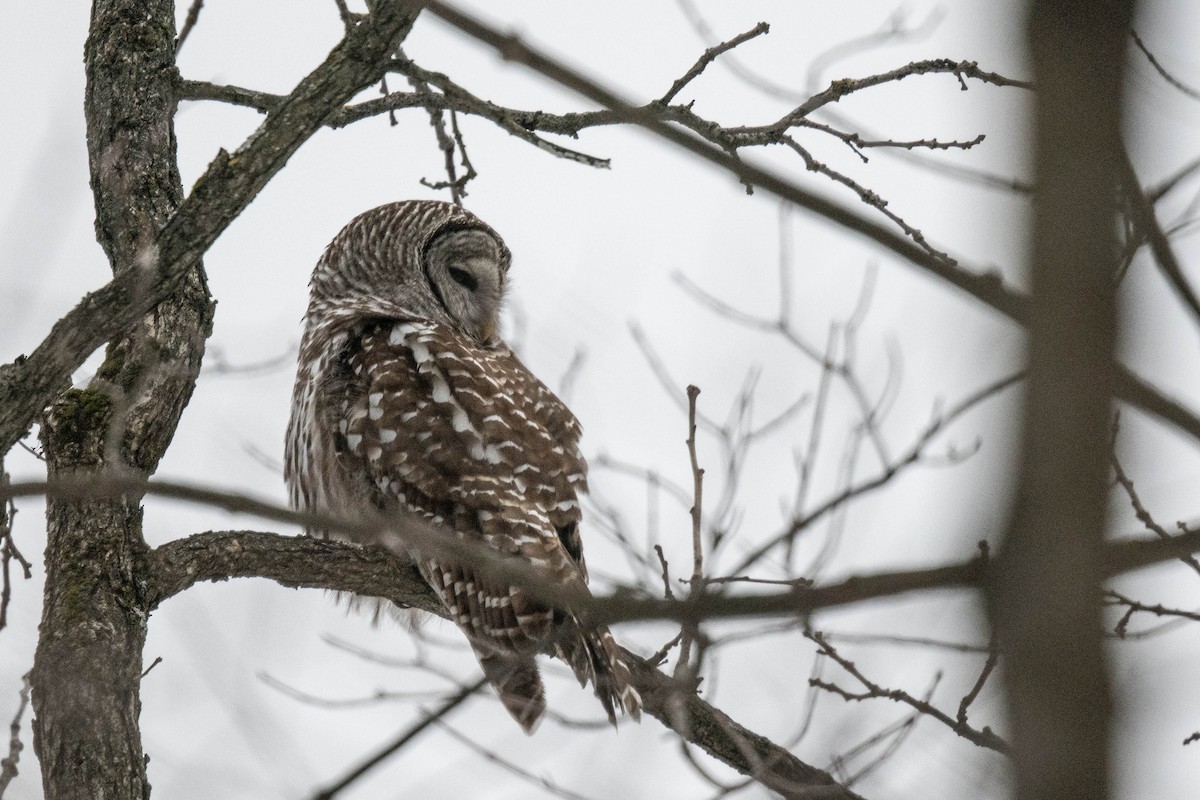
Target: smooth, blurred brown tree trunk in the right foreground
x,y
1047,591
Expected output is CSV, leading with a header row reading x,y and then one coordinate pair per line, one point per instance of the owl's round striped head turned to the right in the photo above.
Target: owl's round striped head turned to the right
x,y
425,258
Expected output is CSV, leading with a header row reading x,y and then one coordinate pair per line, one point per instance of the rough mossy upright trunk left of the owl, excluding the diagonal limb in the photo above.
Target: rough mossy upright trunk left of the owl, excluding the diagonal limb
x,y
88,666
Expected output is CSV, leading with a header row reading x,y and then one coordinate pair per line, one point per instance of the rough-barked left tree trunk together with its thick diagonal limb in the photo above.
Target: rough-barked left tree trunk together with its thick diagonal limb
x,y
155,317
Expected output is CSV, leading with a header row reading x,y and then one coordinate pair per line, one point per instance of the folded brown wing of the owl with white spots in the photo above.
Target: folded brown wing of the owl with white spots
x,y
470,440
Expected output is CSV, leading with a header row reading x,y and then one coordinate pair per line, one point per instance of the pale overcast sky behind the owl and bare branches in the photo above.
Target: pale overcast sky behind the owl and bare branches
x,y
595,252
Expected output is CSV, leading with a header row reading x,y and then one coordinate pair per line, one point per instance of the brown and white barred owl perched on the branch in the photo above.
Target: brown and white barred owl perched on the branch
x,y
407,402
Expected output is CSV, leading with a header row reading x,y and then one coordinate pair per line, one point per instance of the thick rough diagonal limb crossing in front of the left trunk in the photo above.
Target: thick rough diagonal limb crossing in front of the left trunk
x,y
227,188
